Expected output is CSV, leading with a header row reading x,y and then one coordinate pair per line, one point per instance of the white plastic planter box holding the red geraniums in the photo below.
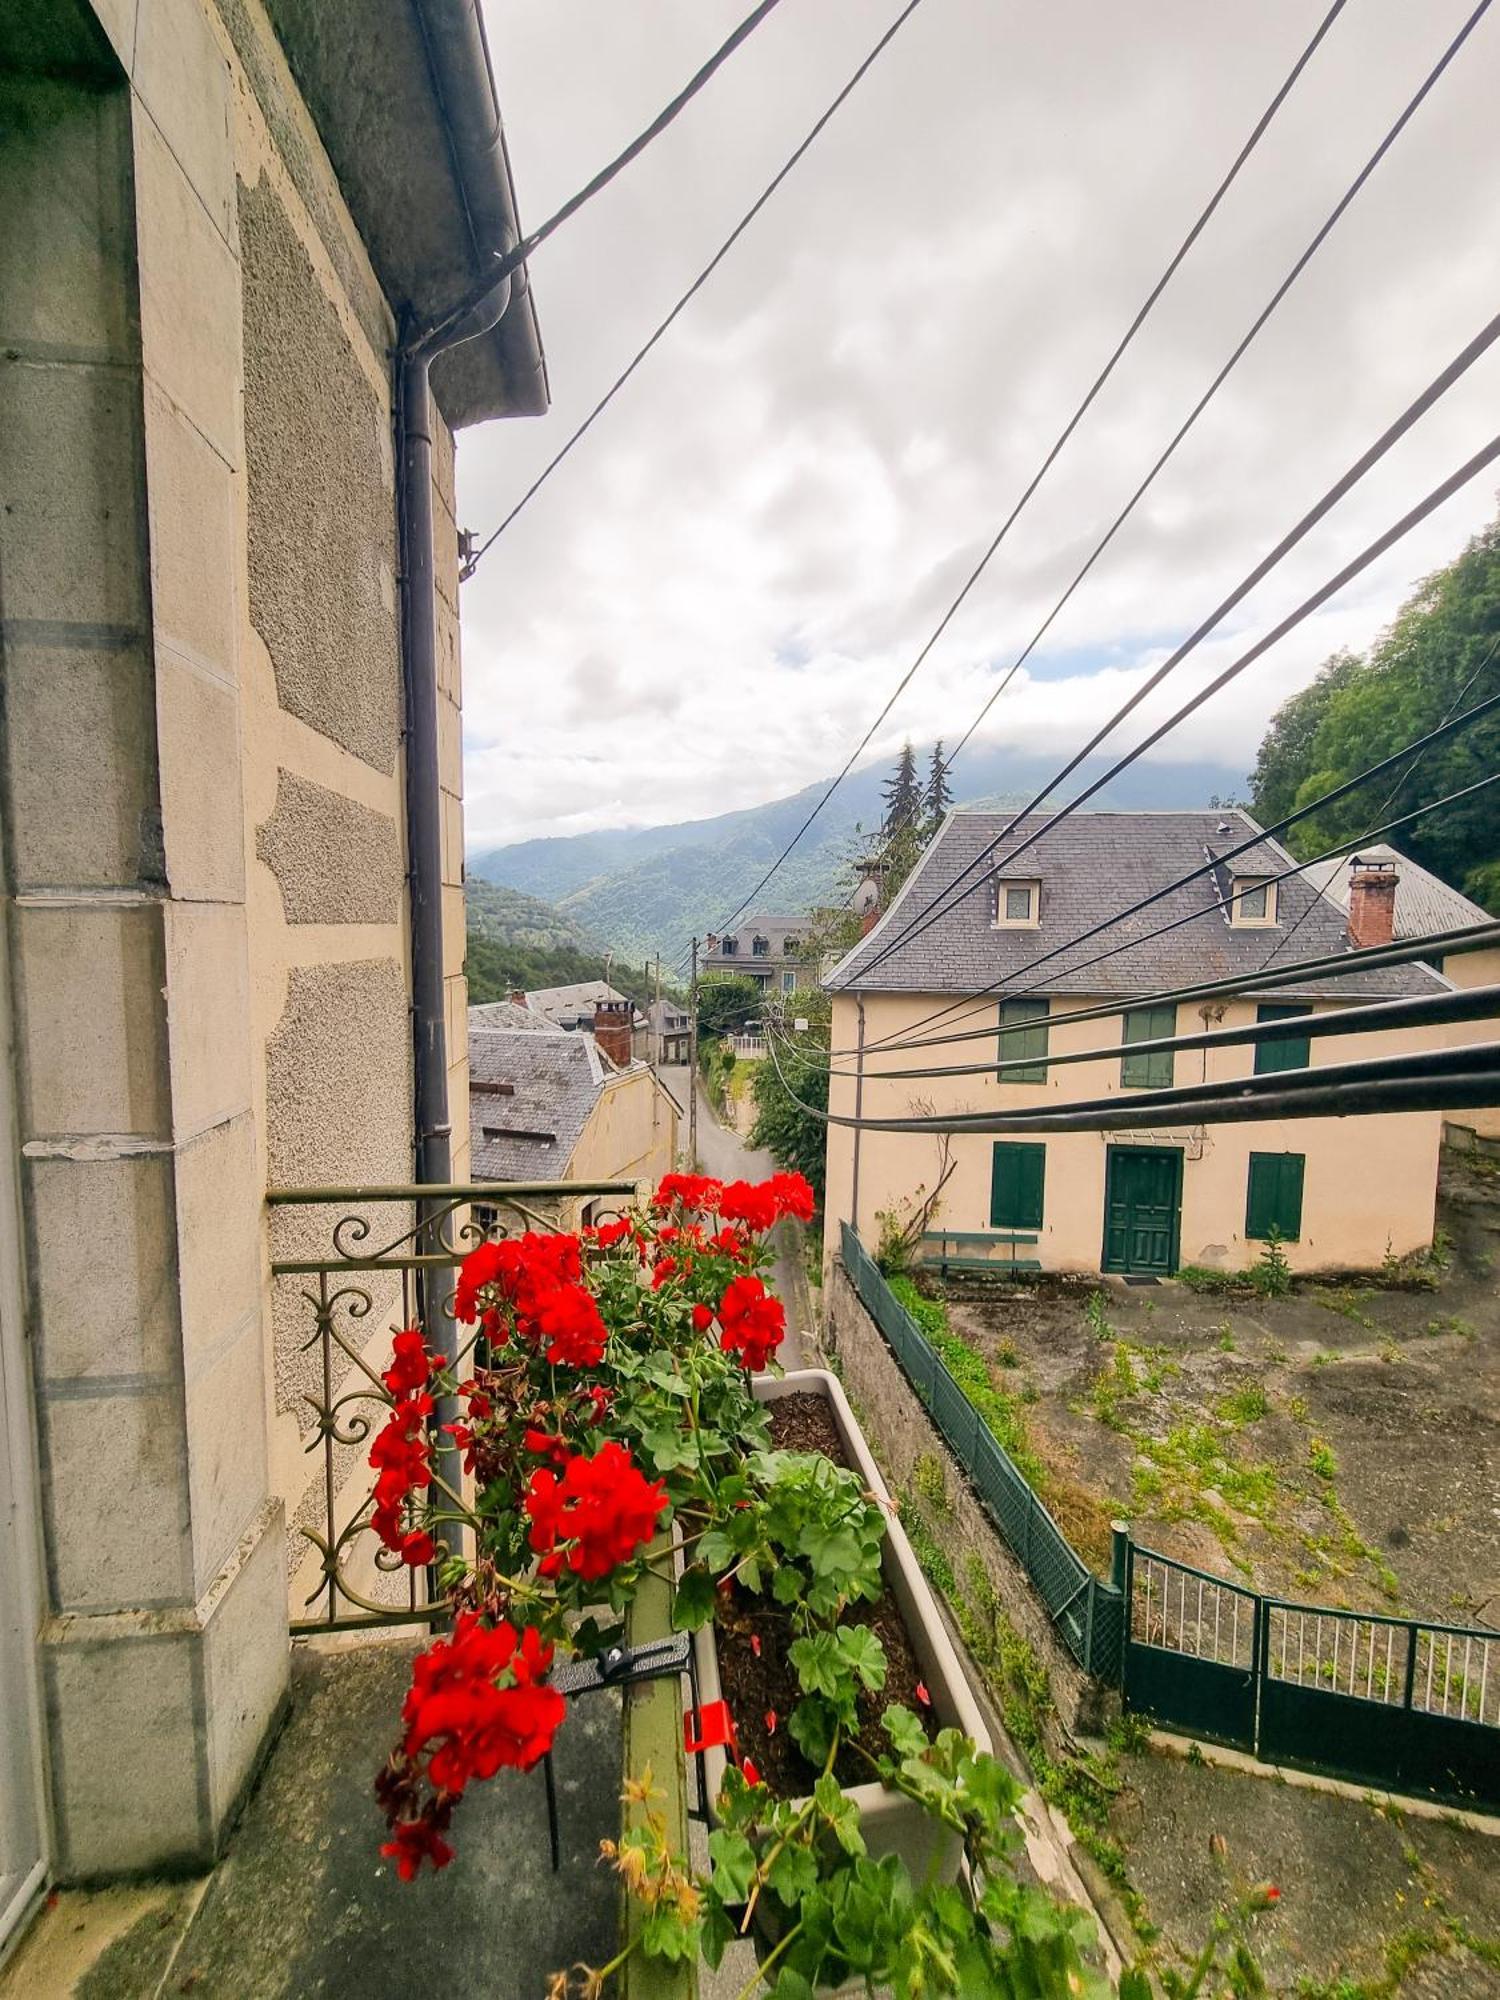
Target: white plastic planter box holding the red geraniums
x,y
893,1823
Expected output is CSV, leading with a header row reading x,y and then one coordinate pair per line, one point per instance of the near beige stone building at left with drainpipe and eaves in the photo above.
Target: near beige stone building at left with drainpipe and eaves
x,y
233,829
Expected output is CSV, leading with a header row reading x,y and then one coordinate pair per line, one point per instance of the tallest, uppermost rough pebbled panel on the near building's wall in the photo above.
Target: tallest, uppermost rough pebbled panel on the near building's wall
x,y
323,515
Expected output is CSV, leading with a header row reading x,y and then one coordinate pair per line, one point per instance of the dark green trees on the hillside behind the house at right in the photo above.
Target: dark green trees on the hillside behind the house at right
x,y
1361,711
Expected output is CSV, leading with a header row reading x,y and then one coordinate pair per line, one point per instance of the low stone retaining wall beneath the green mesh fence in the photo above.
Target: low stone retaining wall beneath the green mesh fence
x,y
901,1435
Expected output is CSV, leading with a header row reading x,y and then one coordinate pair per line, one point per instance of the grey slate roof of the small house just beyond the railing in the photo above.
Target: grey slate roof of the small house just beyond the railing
x,y
555,1077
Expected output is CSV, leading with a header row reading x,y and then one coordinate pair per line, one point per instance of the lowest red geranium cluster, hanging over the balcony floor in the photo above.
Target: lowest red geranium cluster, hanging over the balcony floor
x,y
477,1703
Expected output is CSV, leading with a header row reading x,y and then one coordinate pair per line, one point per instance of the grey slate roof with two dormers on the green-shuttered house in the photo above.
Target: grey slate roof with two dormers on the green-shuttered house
x,y
1091,867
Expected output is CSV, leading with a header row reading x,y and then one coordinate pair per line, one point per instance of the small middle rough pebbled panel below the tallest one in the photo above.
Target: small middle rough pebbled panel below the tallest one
x,y
337,863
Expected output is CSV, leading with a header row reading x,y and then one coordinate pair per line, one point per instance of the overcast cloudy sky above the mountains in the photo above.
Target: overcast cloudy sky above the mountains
x,y
713,599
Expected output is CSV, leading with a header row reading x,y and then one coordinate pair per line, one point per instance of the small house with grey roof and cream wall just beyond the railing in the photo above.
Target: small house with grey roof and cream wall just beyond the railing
x,y
553,1105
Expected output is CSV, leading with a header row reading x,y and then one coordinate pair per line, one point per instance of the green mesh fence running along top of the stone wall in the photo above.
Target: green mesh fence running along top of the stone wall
x,y
1087,1611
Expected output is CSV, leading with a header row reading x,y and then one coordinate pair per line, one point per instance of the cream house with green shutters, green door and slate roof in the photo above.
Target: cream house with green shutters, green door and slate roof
x,y
1339,1193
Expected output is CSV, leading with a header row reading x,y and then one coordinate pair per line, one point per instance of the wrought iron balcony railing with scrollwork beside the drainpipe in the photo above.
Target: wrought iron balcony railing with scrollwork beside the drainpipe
x,y
349,1267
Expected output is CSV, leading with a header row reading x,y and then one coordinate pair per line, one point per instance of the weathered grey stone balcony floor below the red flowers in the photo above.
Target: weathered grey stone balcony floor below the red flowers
x,y
303,1903
